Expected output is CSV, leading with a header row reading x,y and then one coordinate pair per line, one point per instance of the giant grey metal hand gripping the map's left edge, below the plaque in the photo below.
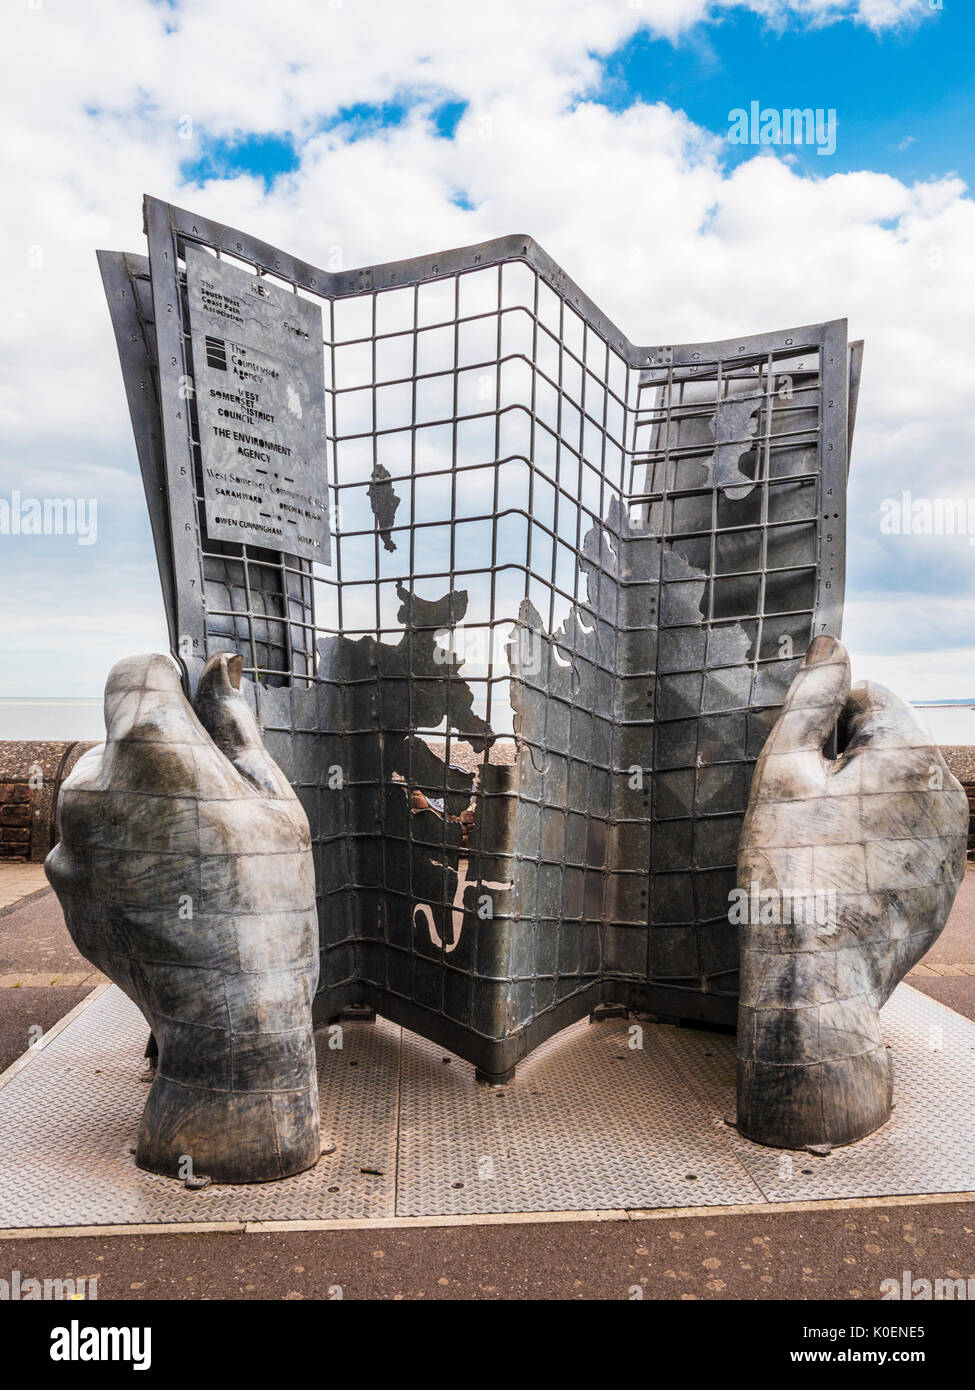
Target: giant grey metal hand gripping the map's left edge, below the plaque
x,y
186,875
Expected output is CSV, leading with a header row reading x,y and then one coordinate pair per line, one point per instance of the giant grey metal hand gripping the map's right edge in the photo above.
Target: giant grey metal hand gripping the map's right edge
x,y
867,850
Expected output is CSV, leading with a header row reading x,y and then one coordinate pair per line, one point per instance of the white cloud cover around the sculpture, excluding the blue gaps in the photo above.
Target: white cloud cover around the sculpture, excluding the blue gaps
x,y
636,205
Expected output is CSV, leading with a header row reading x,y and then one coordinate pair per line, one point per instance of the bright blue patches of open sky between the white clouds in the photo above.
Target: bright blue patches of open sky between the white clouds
x,y
905,98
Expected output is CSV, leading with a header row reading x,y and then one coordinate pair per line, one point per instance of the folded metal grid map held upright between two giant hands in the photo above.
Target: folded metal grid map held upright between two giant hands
x,y
583,568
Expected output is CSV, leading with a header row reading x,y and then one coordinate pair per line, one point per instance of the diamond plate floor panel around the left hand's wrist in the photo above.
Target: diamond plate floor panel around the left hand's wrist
x,y
69,1127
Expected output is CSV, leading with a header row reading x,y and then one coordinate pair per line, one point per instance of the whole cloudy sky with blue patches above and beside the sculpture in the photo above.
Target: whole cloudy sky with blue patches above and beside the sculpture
x,y
380,130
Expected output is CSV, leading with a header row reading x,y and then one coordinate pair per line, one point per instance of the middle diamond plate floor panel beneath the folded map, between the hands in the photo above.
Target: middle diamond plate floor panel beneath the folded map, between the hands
x,y
589,1124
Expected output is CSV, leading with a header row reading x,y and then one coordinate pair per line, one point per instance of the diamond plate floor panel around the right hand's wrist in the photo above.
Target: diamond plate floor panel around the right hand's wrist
x,y
928,1146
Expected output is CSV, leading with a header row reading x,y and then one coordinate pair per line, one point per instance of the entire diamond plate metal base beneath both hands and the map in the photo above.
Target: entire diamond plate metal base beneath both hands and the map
x,y
589,1124
